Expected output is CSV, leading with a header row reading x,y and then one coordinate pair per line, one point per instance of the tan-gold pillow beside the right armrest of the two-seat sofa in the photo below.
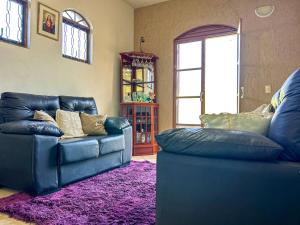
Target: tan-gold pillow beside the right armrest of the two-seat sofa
x,y
93,124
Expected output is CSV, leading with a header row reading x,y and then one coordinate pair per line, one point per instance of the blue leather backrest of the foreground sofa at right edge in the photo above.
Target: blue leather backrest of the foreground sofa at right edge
x,y
285,125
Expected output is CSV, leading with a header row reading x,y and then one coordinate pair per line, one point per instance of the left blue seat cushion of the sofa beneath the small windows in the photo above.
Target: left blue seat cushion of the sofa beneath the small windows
x,y
78,149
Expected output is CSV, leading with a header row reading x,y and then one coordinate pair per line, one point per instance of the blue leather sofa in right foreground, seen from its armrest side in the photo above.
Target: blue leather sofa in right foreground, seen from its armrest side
x,y
218,177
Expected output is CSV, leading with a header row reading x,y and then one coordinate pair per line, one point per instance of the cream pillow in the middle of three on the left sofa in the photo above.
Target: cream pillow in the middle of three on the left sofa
x,y
69,123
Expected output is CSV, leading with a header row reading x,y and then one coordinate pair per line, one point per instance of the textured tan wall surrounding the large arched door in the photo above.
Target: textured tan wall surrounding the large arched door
x,y
270,46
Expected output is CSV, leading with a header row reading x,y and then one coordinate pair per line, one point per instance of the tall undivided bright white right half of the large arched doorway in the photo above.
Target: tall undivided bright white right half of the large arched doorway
x,y
221,75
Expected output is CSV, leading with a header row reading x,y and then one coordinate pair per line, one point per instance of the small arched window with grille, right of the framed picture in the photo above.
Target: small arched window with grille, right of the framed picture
x,y
76,37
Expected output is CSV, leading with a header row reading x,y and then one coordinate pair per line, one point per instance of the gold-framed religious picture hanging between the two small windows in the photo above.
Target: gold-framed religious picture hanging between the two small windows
x,y
48,22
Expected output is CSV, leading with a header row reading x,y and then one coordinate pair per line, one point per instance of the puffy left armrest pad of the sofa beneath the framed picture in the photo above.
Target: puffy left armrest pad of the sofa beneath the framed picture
x,y
30,127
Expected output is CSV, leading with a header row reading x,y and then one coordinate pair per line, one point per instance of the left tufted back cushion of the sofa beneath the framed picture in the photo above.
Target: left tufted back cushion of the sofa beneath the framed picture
x,y
19,106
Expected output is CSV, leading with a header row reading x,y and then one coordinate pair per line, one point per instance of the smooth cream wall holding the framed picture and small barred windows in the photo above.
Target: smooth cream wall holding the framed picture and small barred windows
x,y
41,69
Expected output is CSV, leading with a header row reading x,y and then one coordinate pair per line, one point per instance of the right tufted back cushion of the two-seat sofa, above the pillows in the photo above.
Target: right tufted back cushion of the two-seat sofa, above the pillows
x,y
78,104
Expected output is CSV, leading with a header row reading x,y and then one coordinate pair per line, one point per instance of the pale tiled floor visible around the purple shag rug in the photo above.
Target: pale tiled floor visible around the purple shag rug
x,y
5,220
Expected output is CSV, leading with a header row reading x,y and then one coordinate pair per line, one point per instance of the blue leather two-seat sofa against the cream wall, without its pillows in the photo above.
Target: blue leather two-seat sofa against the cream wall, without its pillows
x,y
35,160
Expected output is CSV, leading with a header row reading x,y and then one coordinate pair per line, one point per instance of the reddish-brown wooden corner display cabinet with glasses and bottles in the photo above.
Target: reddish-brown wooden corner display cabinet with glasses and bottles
x,y
138,99
